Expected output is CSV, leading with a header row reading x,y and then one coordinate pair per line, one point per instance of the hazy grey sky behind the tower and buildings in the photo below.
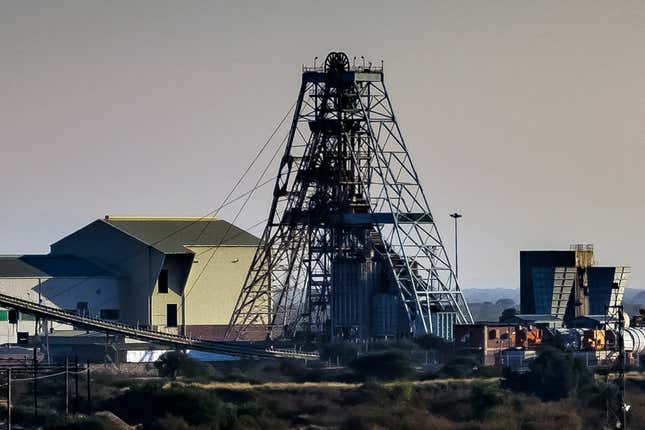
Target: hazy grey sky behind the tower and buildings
x,y
526,116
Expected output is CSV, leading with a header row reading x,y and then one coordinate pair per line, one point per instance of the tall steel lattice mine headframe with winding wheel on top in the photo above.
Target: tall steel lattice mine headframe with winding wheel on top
x,y
348,209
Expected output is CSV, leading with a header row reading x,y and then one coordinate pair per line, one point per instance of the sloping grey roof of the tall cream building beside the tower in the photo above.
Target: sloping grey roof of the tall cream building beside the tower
x,y
172,235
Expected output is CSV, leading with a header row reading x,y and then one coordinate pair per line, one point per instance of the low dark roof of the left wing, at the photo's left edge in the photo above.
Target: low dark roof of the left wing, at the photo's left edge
x,y
33,266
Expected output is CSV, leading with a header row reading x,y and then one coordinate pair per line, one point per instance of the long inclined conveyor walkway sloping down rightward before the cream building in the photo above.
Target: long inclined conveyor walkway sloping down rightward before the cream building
x,y
96,324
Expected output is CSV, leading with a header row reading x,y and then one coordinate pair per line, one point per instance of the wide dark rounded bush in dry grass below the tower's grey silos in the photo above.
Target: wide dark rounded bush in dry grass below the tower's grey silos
x,y
386,365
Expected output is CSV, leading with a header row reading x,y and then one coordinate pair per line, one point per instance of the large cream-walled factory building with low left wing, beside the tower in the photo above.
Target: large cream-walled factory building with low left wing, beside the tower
x,y
178,275
